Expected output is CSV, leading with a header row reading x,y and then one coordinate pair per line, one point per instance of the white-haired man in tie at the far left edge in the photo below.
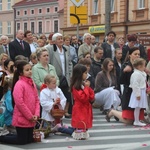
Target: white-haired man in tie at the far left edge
x,y
4,48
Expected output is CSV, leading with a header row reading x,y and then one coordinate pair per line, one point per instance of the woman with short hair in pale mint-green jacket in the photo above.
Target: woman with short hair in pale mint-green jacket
x,y
42,68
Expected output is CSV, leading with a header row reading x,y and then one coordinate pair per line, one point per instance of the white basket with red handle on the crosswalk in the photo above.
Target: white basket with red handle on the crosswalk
x,y
80,134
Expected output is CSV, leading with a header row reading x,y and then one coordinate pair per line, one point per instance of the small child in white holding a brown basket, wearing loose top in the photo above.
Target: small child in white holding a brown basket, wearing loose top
x,y
50,96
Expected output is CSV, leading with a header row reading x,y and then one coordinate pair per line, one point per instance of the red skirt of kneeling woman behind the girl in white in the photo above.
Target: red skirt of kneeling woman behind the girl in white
x,y
129,114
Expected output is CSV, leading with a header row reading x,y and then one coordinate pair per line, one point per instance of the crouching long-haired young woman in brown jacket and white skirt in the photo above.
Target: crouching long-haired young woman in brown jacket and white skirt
x,y
105,87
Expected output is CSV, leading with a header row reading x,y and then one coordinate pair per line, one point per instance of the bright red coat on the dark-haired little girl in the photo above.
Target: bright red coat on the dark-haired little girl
x,y
82,108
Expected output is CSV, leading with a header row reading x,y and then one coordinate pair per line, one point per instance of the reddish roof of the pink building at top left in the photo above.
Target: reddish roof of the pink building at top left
x,y
32,2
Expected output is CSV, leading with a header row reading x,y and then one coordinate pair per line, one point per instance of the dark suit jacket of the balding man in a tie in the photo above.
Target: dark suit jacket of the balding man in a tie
x,y
16,49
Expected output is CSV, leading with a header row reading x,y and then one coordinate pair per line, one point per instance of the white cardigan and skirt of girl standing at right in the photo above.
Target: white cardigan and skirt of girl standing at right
x,y
138,85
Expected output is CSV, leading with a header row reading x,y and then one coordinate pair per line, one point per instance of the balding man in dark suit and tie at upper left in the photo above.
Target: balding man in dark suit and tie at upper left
x,y
19,47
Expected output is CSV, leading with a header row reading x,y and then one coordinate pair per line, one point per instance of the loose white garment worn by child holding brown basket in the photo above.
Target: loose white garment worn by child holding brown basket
x,y
47,98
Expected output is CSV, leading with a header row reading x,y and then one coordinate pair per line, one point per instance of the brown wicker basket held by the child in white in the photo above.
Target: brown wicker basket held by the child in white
x,y
57,111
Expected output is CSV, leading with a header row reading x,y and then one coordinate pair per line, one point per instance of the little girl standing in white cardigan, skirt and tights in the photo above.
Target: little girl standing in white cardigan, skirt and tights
x,y
138,97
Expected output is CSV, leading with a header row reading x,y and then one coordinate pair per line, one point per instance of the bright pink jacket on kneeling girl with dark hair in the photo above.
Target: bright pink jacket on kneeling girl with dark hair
x,y
26,102
